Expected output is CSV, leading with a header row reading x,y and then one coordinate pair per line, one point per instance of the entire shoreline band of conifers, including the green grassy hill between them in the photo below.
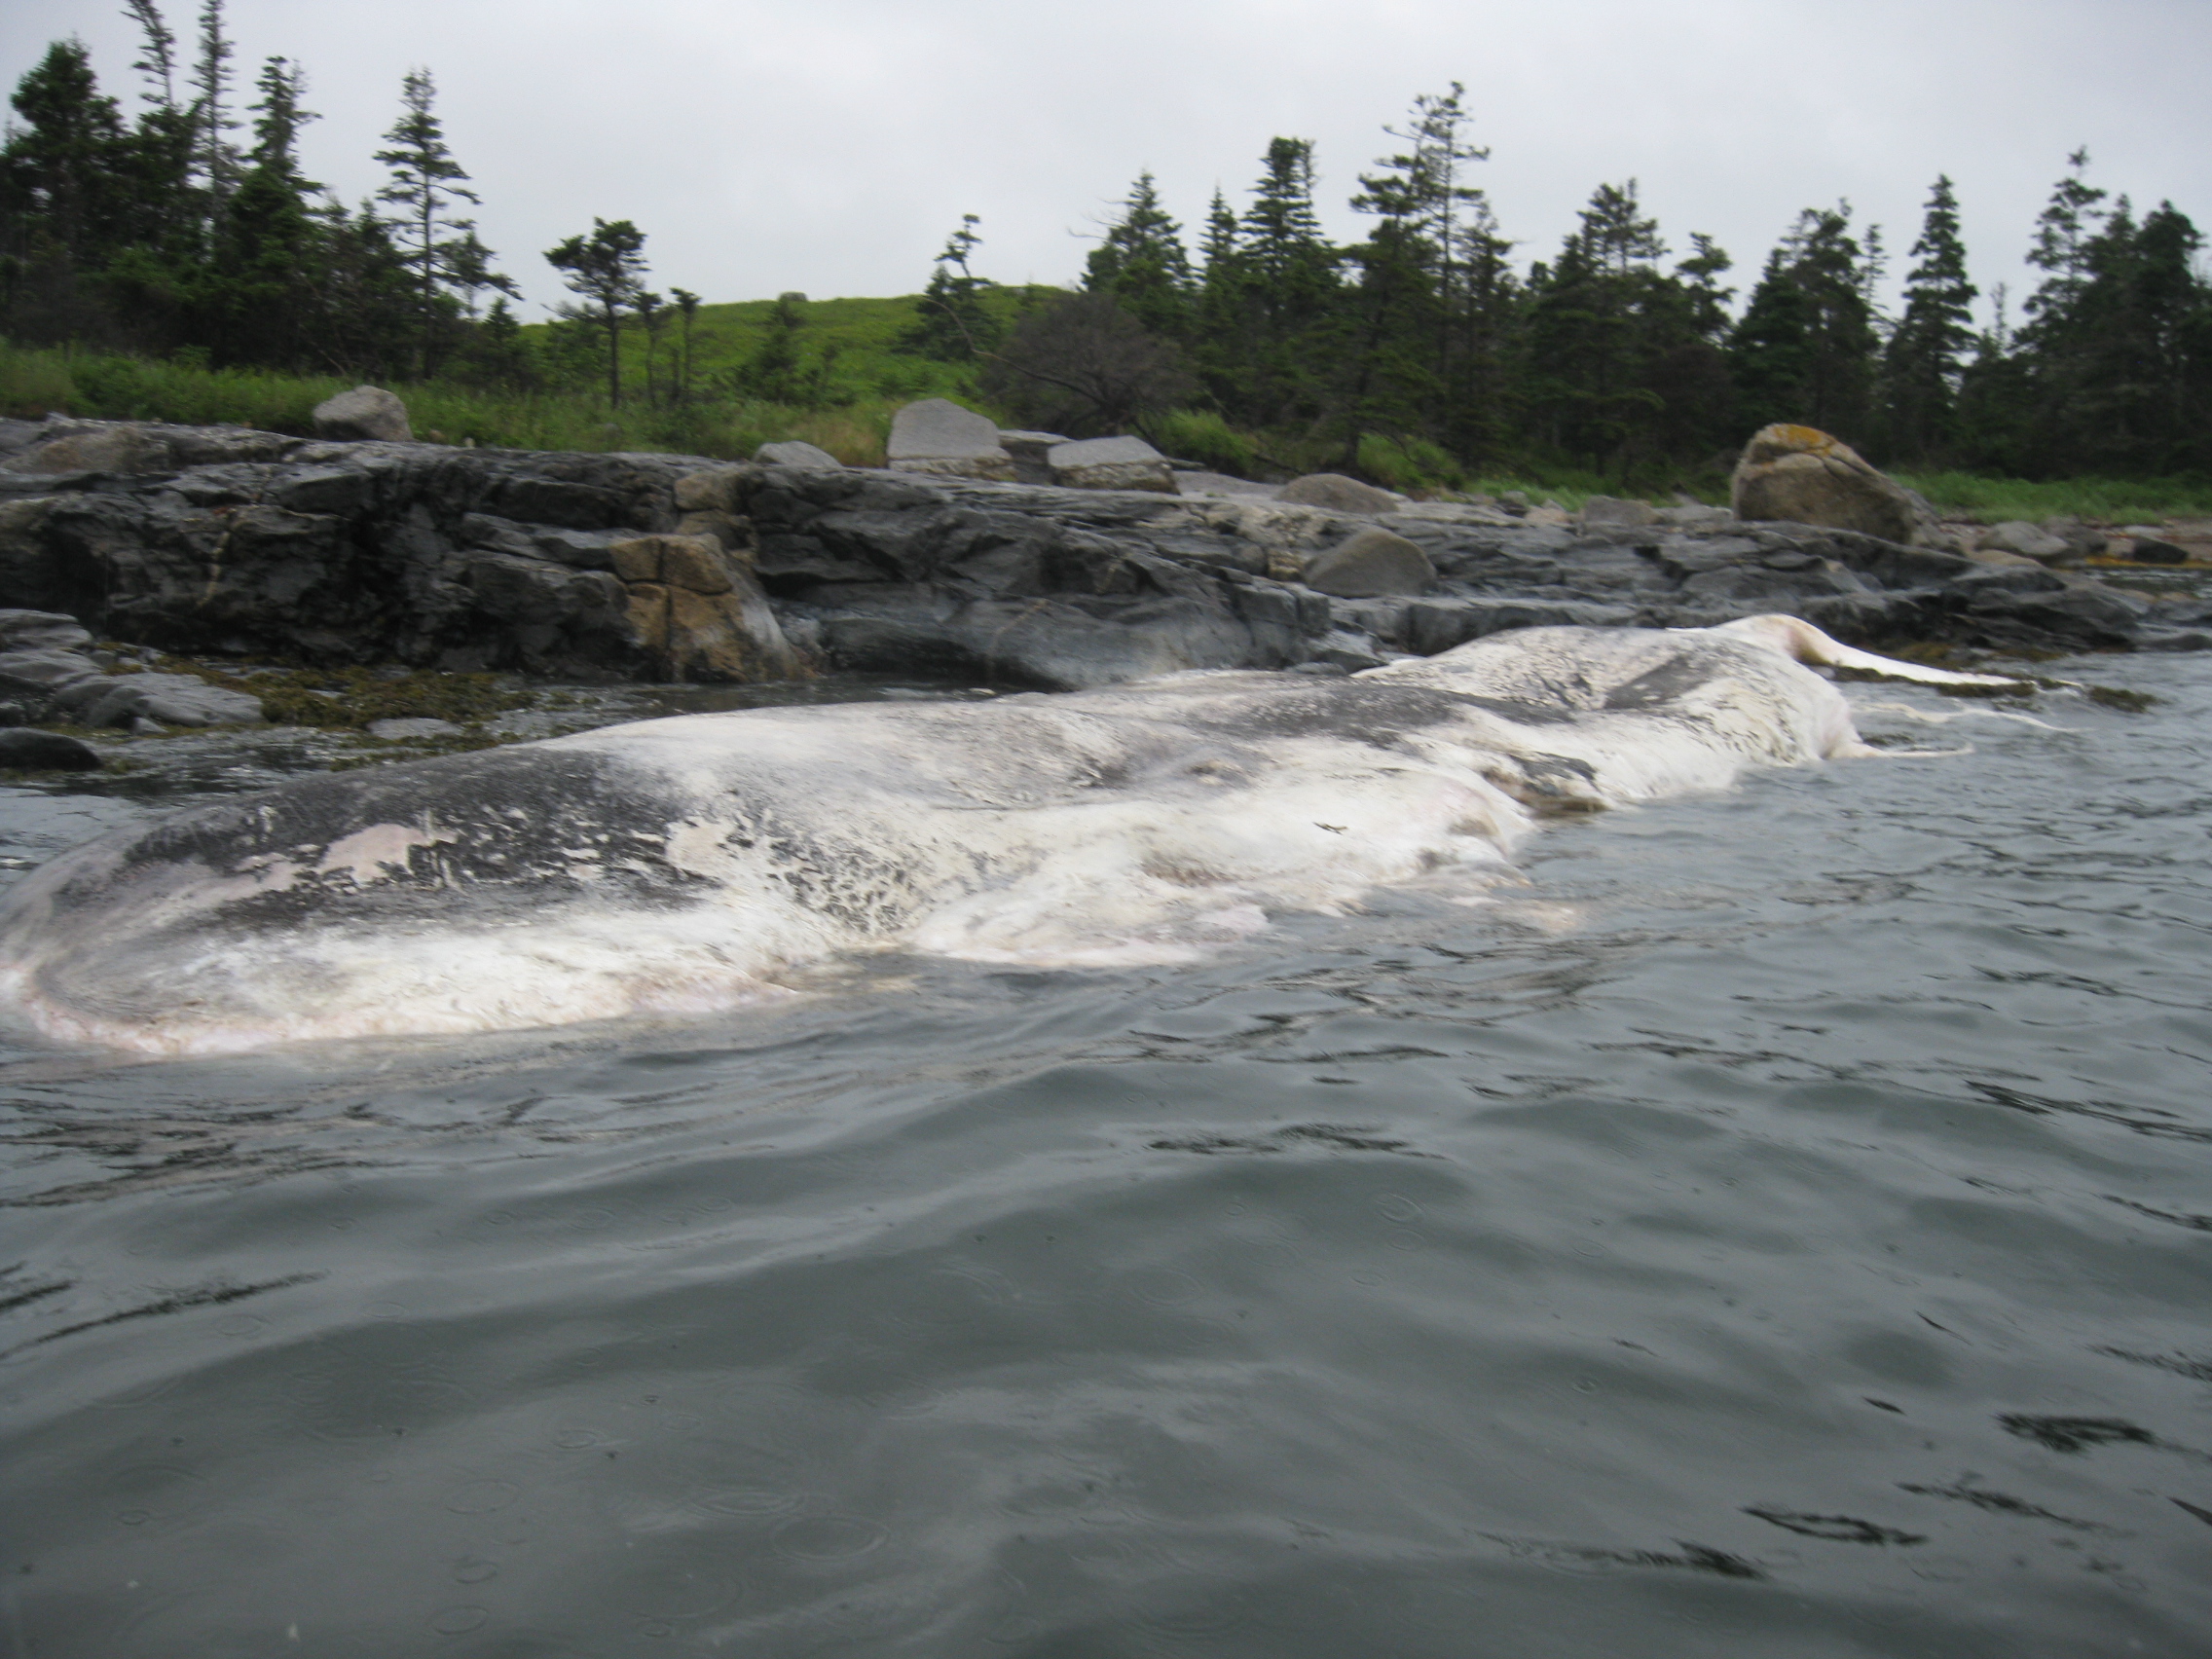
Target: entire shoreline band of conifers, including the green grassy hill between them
x,y
174,222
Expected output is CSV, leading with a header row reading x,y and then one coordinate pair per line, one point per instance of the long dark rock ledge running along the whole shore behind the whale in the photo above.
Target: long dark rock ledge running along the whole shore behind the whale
x,y
477,559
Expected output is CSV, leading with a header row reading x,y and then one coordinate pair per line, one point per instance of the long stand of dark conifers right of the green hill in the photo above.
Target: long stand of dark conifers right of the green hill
x,y
1616,353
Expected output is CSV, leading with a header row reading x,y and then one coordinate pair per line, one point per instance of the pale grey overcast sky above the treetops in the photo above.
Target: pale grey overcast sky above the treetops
x,y
831,147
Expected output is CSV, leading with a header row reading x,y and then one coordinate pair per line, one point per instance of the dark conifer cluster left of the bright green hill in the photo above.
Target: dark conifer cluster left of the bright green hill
x,y
187,229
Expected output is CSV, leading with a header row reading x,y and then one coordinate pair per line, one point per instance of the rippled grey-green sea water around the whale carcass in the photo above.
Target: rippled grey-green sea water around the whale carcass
x,y
1773,1227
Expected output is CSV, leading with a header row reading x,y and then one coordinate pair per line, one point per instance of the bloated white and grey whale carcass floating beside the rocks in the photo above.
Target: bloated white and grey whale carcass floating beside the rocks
x,y
682,864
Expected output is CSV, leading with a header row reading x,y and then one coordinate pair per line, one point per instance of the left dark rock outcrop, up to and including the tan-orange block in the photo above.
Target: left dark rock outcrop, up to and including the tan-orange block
x,y
371,552
